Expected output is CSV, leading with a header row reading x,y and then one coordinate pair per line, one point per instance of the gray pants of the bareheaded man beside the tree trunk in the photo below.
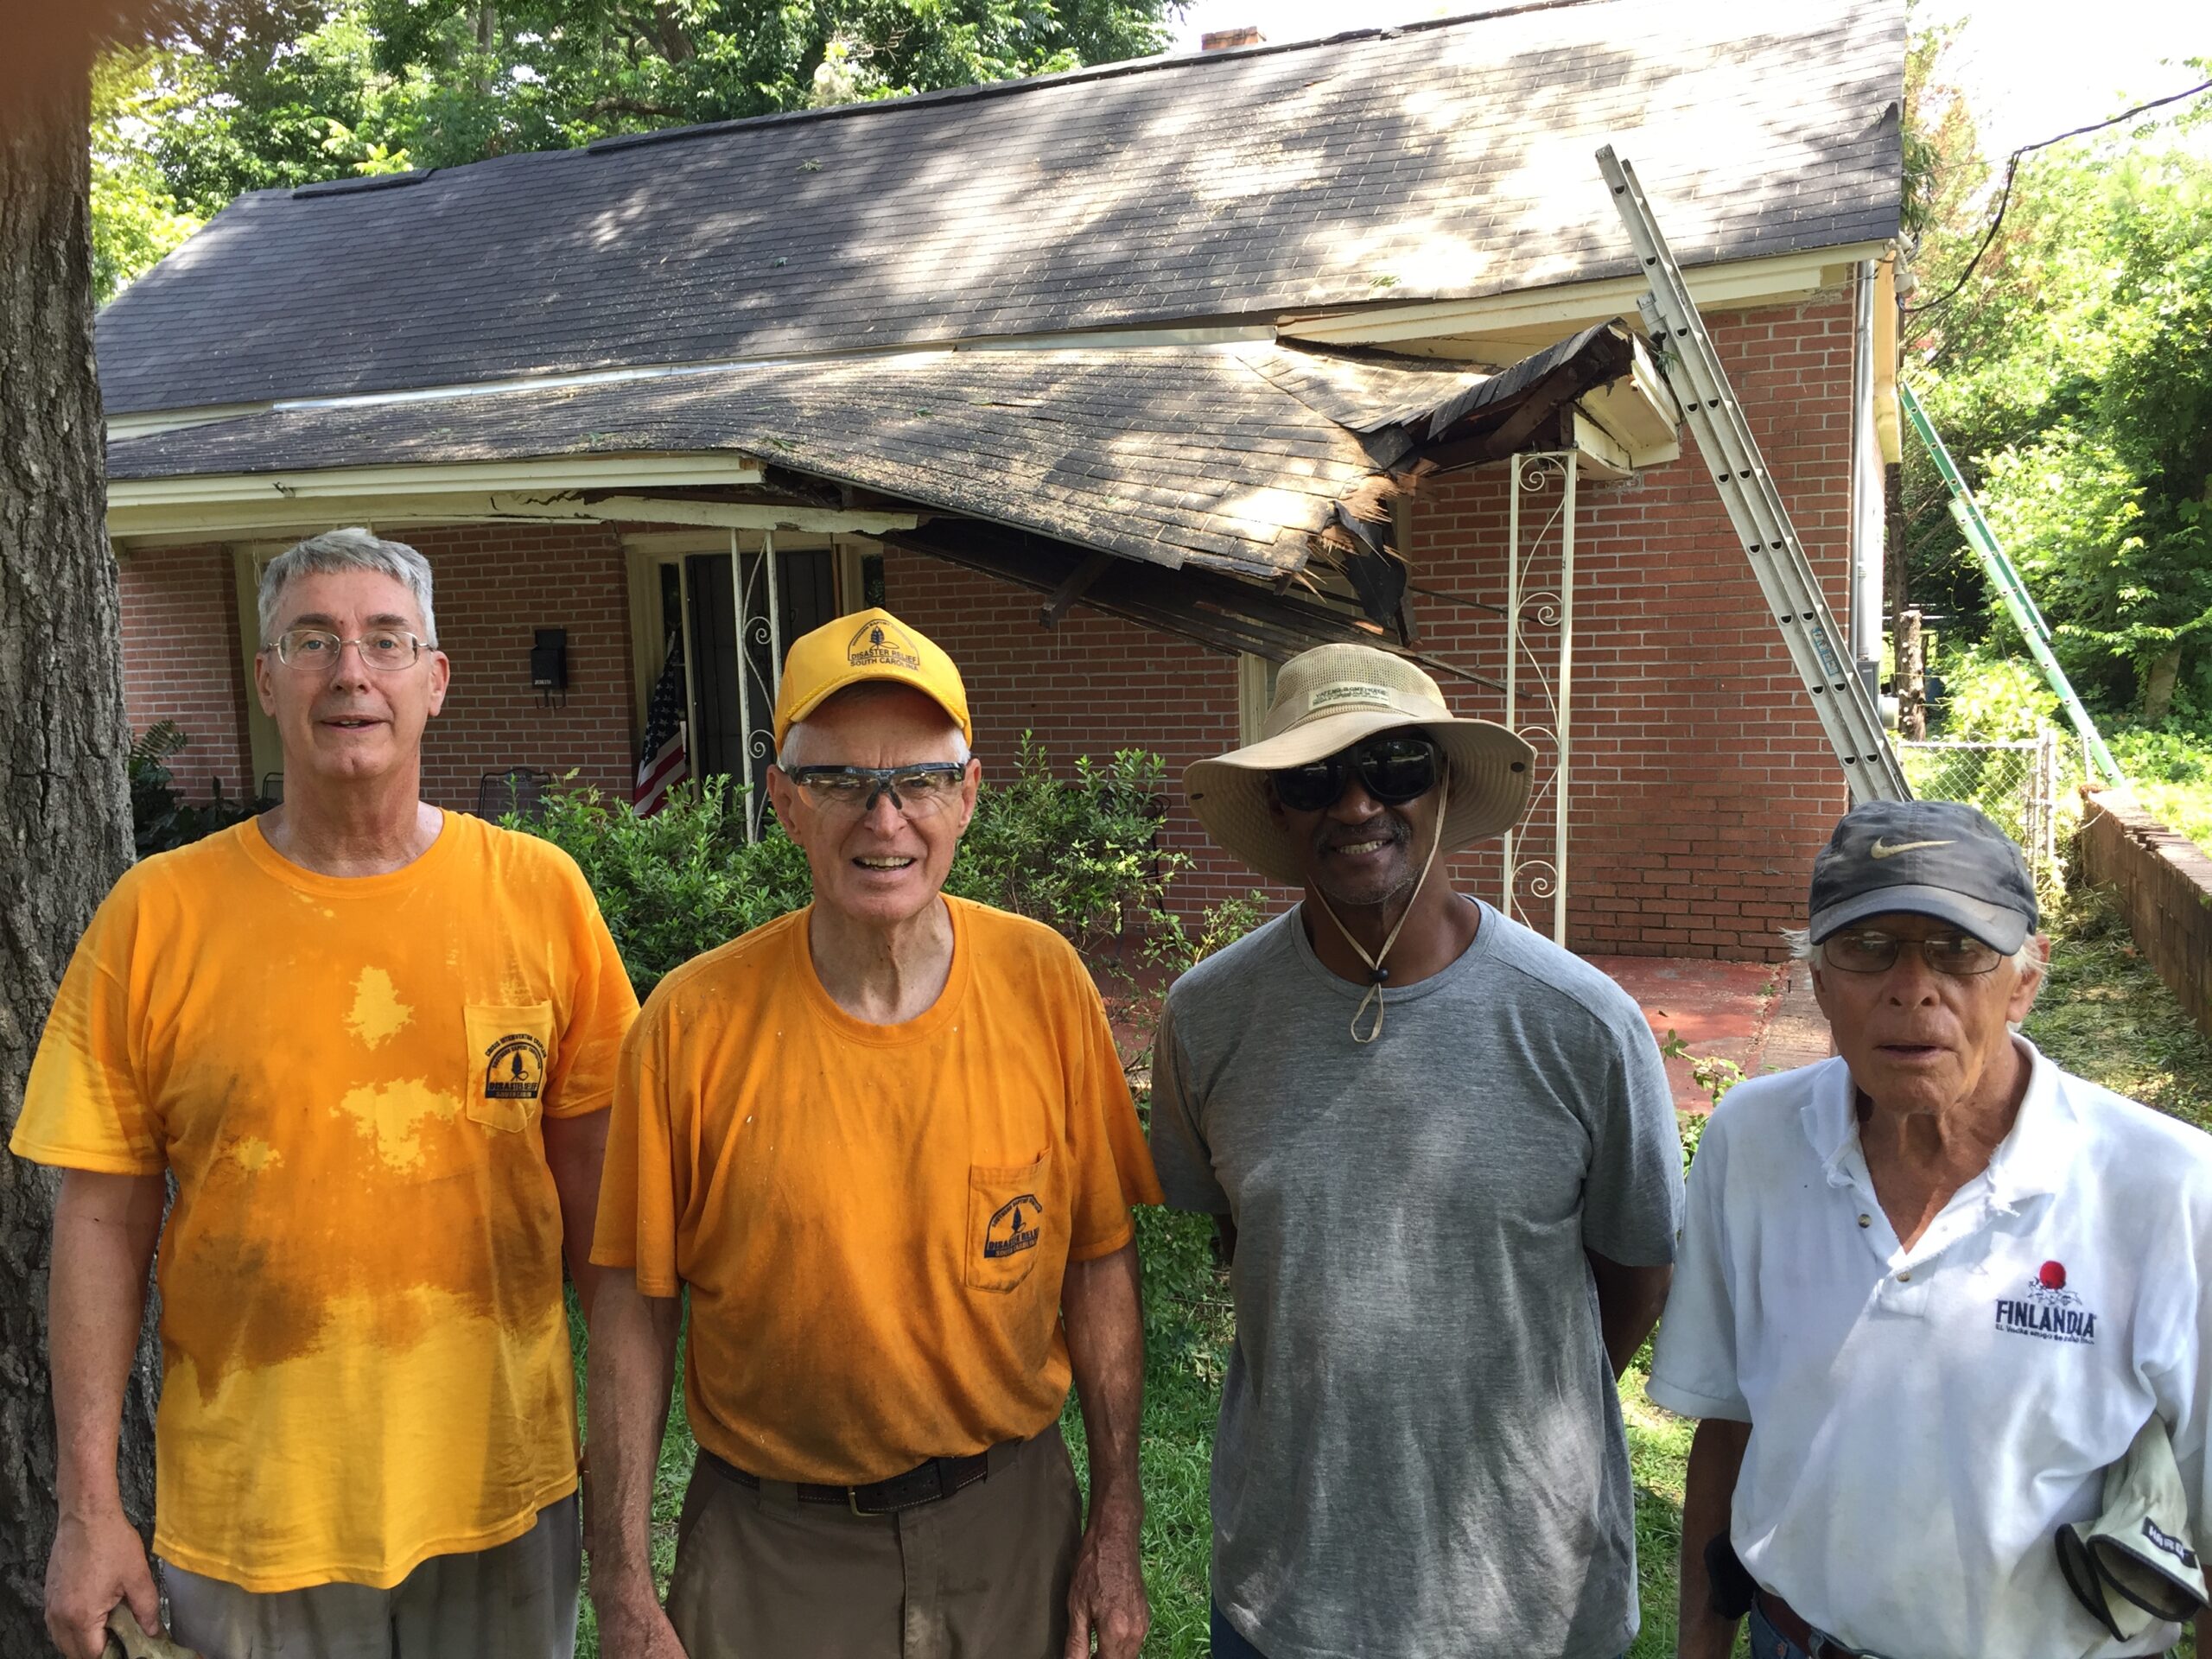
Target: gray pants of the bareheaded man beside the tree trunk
x,y
510,1603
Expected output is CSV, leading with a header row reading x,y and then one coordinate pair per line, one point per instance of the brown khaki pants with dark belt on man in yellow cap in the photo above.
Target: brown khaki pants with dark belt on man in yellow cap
x,y
977,1576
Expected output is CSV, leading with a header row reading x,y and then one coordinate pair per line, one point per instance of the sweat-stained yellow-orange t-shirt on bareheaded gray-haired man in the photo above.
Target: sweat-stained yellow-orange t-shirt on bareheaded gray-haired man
x,y
362,1317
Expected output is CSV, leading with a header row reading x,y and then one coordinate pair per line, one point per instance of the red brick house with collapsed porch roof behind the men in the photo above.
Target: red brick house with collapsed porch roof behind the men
x,y
1220,355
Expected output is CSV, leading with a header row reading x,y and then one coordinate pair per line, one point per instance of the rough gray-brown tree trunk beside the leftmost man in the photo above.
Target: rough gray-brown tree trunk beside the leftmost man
x,y
65,815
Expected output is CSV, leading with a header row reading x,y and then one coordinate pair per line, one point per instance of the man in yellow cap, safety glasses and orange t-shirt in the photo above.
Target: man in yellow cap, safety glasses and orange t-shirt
x,y
888,1147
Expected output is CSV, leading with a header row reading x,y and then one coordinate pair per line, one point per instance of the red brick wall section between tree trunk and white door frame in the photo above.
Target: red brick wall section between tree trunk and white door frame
x,y
182,662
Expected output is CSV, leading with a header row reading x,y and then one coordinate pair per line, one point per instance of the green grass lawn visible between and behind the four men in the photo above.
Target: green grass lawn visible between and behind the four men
x,y
2105,1016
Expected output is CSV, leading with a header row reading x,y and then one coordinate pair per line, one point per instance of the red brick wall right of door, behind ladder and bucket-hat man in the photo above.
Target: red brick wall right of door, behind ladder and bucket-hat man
x,y
1702,784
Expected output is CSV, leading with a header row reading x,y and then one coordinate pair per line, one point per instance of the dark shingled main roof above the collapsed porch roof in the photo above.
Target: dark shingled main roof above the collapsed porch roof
x,y
1434,163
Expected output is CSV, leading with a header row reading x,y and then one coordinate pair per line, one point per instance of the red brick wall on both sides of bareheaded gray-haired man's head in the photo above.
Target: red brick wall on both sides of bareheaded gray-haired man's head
x,y
494,585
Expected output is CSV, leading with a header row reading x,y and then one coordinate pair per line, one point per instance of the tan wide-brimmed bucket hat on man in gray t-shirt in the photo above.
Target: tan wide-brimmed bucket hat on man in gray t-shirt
x,y
1328,700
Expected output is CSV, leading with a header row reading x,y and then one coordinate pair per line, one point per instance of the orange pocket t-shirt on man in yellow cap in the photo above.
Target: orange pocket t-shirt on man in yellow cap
x,y
873,1220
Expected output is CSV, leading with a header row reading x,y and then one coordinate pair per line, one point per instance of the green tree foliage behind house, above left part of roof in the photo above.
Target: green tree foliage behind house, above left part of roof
x,y
295,92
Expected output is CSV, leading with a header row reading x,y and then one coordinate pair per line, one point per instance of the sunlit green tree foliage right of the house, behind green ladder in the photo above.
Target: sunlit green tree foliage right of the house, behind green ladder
x,y
2072,377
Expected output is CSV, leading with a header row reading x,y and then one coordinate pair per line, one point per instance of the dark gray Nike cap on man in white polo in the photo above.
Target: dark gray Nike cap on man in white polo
x,y
1926,859
